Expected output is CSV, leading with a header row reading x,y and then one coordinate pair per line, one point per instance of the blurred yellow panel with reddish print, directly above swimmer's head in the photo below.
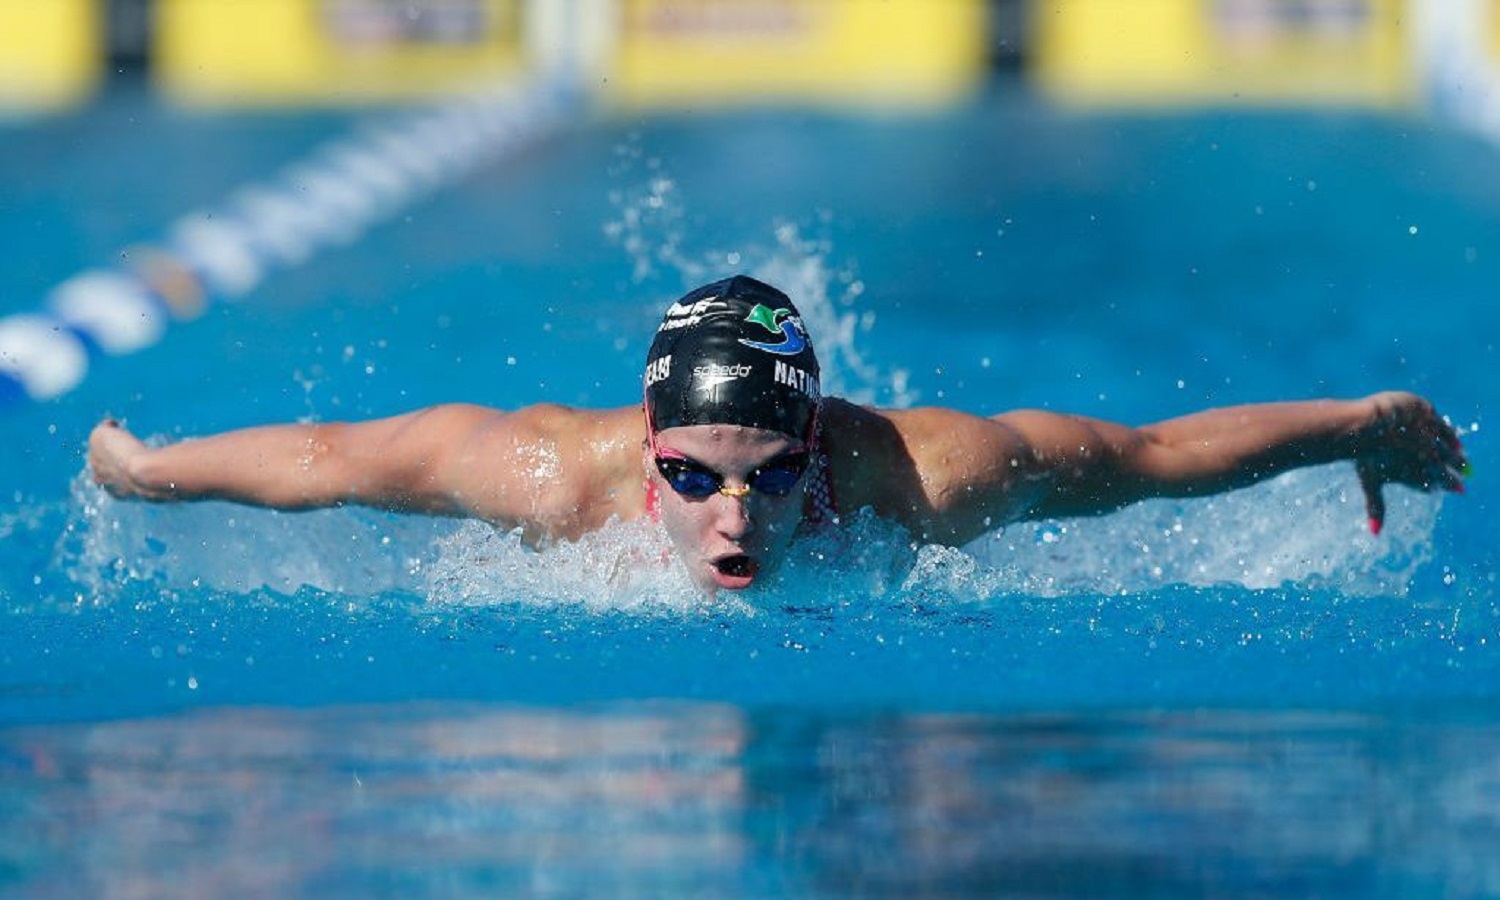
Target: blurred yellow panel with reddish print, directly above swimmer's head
x,y
883,52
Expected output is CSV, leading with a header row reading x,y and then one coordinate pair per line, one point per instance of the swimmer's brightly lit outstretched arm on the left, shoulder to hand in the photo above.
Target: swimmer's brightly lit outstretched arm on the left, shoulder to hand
x,y
530,469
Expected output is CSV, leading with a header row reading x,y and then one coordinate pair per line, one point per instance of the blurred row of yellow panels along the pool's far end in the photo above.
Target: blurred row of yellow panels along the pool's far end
x,y
650,53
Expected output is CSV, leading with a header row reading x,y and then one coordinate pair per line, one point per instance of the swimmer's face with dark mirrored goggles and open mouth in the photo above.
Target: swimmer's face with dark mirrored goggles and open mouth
x,y
728,538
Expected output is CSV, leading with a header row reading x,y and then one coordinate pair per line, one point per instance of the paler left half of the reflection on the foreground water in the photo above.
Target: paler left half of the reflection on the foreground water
x,y
362,800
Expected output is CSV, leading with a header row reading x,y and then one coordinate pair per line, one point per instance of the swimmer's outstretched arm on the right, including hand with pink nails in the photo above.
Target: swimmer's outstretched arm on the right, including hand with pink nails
x,y
977,473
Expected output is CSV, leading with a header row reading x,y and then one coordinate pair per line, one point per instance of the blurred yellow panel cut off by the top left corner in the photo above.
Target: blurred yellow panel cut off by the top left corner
x,y
50,53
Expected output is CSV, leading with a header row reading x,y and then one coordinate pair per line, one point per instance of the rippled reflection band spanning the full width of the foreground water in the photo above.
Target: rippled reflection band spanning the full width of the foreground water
x,y
715,800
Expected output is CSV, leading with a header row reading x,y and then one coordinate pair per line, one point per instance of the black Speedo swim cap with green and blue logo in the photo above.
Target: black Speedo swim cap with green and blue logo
x,y
734,353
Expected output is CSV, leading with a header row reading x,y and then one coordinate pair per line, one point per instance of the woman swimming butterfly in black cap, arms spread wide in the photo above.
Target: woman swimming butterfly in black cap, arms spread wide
x,y
734,451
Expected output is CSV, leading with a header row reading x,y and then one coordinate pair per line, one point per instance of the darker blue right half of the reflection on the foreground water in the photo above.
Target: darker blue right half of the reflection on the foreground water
x,y
1207,805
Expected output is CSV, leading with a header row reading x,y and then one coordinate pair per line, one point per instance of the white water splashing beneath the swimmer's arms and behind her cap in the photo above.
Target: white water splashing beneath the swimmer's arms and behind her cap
x,y
1303,529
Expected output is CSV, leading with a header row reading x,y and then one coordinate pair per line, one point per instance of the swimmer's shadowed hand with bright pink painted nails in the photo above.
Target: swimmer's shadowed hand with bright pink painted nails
x,y
1406,443
